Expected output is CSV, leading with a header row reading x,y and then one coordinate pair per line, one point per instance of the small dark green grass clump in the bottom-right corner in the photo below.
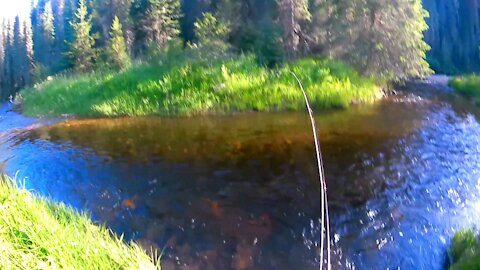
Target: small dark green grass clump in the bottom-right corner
x,y
465,250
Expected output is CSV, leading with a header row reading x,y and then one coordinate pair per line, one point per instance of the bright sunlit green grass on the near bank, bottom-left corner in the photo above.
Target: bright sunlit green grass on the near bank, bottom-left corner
x,y
36,233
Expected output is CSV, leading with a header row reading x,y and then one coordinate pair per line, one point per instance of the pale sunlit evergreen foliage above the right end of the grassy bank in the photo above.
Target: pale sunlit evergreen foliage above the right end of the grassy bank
x,y
379,37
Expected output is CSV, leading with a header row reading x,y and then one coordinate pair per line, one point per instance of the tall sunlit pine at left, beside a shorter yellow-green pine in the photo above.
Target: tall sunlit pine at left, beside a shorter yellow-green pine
x,y
82,49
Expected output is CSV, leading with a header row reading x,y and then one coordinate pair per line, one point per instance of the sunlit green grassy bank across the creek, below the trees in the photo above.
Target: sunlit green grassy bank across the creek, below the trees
x,y
183,86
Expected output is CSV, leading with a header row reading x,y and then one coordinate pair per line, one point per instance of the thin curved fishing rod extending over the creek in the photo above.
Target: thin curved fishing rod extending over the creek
x,y
323,185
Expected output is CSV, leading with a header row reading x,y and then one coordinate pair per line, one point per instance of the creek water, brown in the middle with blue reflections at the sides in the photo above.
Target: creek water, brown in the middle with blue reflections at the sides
x,y
241,191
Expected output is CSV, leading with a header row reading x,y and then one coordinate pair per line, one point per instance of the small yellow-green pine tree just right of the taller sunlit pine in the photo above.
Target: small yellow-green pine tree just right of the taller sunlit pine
x,y
117,47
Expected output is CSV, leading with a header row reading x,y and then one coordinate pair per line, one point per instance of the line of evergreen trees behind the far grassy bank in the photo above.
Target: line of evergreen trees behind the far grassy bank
x,y
383,38
